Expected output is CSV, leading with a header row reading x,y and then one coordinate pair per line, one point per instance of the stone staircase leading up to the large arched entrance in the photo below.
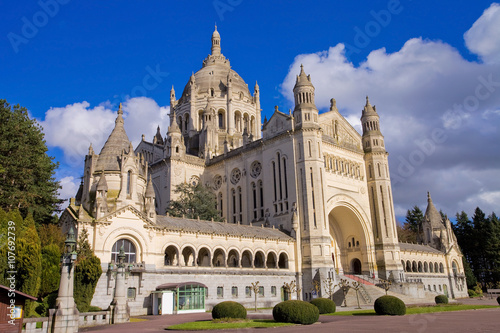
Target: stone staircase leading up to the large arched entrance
x,y
369,292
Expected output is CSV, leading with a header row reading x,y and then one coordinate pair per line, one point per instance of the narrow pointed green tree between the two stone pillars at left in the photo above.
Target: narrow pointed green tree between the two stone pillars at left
x,y
87,273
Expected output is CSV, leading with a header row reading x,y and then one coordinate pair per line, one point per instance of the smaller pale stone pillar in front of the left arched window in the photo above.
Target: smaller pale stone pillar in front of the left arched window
x,y
119,306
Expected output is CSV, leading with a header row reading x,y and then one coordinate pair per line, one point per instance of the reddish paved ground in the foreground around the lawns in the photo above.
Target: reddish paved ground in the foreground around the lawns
x,y
482,320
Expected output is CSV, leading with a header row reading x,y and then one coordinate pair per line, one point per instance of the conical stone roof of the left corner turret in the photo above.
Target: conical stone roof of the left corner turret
x,y
114,146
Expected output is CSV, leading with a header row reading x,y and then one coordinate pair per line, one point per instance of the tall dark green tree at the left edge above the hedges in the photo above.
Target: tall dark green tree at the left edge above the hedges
x,y
27,178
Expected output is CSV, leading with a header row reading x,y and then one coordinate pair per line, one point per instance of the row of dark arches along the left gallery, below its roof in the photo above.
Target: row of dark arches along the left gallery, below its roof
x,y
204,257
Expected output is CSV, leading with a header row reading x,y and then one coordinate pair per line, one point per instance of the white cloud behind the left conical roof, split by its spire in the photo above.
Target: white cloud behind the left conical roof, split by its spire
x,y
74,127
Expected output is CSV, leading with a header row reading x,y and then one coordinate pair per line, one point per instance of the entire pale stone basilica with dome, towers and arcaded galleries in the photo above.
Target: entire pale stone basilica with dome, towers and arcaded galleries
x,y
304,199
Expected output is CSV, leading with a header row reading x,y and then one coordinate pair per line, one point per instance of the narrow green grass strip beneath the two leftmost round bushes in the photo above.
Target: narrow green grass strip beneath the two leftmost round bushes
x,y
212,325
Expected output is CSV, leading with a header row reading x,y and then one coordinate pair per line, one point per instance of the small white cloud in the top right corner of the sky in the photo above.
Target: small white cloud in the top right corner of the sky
x,y
483,38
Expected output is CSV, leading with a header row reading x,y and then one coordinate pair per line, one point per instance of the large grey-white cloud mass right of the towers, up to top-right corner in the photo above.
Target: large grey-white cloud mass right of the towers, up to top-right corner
x,y
425,88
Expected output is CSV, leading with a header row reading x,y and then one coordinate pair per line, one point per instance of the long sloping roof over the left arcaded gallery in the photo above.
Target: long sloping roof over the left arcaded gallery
x,y
219,228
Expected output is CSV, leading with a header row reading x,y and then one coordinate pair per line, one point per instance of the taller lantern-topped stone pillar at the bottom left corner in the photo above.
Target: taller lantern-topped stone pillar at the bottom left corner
x,y
65,316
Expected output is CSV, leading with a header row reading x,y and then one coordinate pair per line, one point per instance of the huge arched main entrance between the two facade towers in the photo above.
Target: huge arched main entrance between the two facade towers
x,y
351,241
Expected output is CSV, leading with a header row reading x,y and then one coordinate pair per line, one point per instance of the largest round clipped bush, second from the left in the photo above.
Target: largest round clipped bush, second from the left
x,y
297,312
